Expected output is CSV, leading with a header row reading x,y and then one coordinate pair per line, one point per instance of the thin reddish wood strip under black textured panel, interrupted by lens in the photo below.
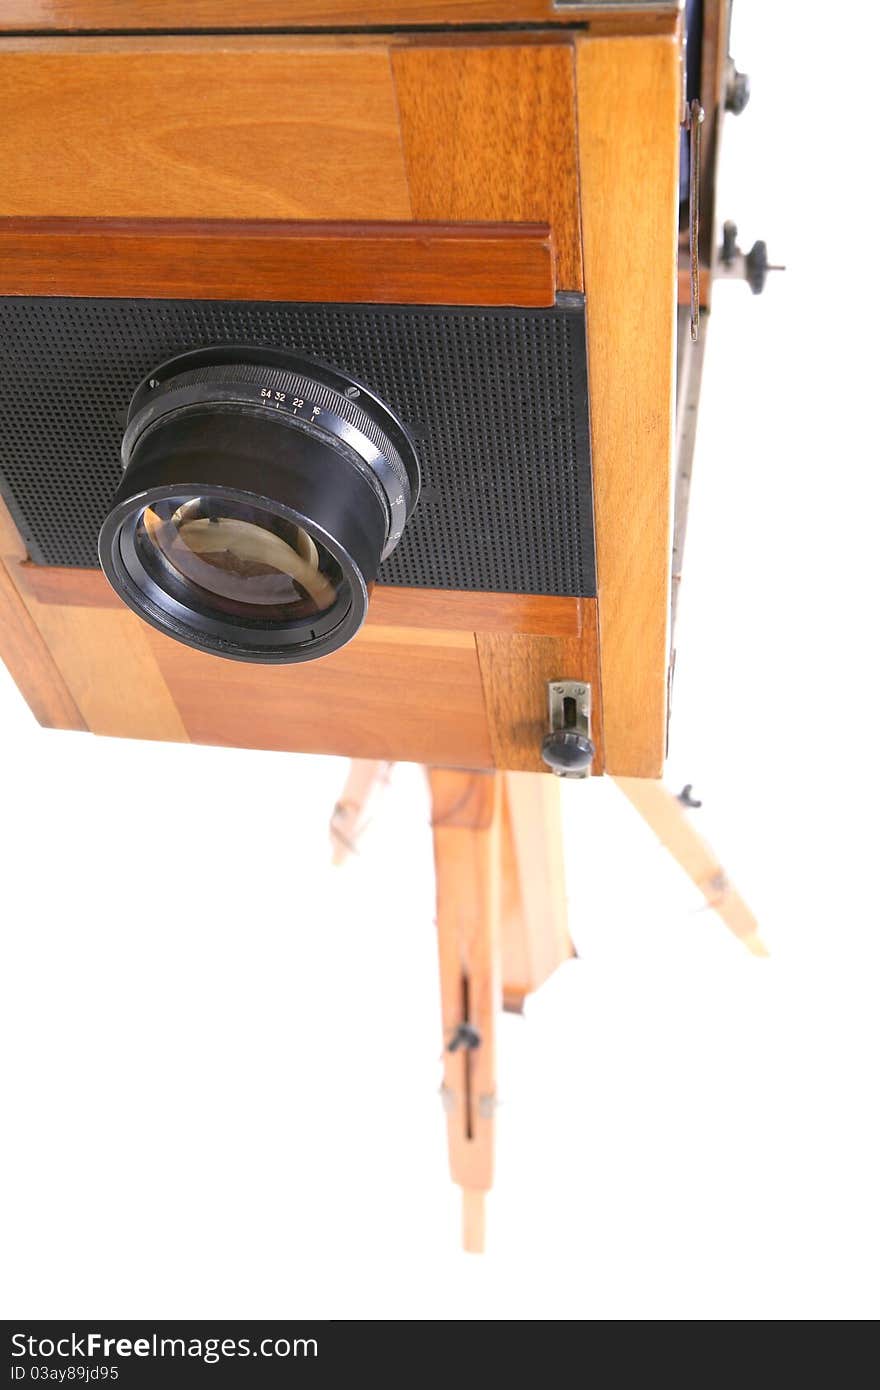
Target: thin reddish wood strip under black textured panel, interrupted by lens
x,y
390,605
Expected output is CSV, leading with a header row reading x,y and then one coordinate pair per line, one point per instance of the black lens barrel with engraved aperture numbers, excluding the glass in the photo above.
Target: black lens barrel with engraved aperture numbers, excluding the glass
x,y
297,439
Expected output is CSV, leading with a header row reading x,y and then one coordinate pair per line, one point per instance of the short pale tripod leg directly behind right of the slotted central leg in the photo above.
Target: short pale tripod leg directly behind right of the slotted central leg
x,y
535,914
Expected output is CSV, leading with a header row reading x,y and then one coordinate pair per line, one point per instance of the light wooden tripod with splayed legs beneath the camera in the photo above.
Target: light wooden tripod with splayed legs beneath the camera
x,y
503,924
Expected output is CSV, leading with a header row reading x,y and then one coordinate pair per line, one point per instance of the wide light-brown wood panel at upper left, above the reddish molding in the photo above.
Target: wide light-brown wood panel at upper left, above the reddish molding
x,y
201,129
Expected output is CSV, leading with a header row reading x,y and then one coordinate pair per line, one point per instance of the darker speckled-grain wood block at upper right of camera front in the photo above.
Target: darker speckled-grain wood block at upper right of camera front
x,y
490,133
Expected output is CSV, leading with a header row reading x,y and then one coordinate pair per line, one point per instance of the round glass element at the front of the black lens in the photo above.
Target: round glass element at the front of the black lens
x,y
238,559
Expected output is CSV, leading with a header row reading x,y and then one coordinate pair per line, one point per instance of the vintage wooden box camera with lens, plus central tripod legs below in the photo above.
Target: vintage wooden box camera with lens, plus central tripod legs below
x,y
345,336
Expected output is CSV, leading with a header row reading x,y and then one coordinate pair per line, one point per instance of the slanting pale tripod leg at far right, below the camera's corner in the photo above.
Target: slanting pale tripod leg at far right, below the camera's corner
x,y
671,825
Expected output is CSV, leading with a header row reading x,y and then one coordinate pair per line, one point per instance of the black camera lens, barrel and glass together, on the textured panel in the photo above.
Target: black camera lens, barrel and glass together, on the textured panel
x,y
259,497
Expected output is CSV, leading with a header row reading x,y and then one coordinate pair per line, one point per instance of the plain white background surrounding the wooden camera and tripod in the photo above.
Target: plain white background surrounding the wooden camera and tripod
x,y
220,1058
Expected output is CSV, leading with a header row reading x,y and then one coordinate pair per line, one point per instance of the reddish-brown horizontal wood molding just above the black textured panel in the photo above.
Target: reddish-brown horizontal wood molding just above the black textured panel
x,y
384,263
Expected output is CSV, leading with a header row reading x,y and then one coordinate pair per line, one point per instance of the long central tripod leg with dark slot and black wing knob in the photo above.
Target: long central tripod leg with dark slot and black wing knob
x,y
468,822
